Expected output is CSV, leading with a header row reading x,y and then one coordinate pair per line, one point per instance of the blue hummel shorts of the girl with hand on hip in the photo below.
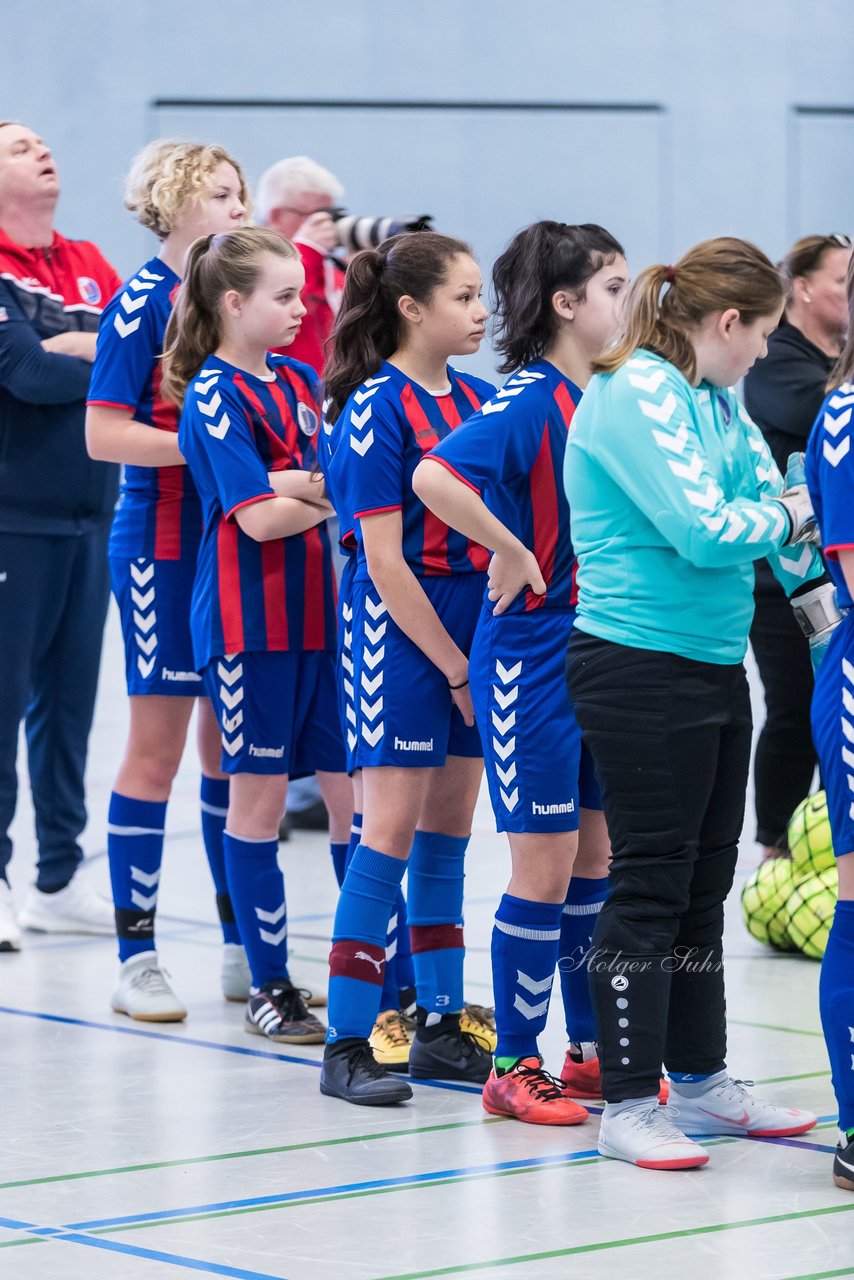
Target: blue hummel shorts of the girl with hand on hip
x,y
538,770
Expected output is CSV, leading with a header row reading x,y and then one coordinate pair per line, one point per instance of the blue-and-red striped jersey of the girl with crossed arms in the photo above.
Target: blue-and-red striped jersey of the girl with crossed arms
x,y
255,597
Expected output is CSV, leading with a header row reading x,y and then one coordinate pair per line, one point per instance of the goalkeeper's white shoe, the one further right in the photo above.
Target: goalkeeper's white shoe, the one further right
x,y
728,1108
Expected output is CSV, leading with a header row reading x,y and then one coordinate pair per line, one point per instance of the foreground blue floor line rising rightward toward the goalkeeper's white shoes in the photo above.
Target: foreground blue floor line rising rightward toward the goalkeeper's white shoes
x,y
341,1190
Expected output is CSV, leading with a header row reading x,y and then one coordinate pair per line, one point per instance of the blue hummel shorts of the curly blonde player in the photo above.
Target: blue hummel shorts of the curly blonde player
x,y
154,606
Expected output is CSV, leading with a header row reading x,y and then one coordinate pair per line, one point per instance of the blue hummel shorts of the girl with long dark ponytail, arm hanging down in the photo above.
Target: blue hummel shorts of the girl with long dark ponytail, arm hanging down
x,y
403,714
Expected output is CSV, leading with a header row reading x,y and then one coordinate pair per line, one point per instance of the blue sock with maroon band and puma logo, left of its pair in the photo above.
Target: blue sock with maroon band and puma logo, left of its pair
x,y
358,957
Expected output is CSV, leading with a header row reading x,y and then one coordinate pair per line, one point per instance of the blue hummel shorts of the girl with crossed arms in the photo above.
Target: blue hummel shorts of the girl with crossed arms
x,y
278,712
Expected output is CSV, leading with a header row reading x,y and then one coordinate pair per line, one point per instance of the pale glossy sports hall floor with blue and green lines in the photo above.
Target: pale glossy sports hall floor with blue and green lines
x,y
131,1151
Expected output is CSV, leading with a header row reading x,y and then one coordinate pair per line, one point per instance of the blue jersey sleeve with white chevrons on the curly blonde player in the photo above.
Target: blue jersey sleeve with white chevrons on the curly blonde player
x,y
127,346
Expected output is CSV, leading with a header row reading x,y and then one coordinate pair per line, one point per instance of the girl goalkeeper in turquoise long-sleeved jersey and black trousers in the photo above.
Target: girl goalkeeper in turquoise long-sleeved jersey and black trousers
x,y
674,495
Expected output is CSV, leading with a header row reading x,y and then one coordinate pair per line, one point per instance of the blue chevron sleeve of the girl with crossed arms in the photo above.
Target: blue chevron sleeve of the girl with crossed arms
x,y
218,444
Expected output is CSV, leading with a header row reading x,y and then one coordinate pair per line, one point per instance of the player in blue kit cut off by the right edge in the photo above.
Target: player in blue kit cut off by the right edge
x,y
830,476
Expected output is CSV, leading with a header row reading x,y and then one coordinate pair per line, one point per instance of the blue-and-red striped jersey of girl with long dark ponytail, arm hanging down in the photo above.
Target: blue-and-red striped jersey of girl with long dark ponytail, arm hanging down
x,y
382,435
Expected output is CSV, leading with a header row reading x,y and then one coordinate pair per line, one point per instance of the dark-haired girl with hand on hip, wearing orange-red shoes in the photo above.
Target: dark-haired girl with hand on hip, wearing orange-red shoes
x,y
559,294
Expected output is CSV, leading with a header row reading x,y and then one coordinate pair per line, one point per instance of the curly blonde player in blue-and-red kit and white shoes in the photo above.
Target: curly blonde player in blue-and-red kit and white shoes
x,y
179,191
